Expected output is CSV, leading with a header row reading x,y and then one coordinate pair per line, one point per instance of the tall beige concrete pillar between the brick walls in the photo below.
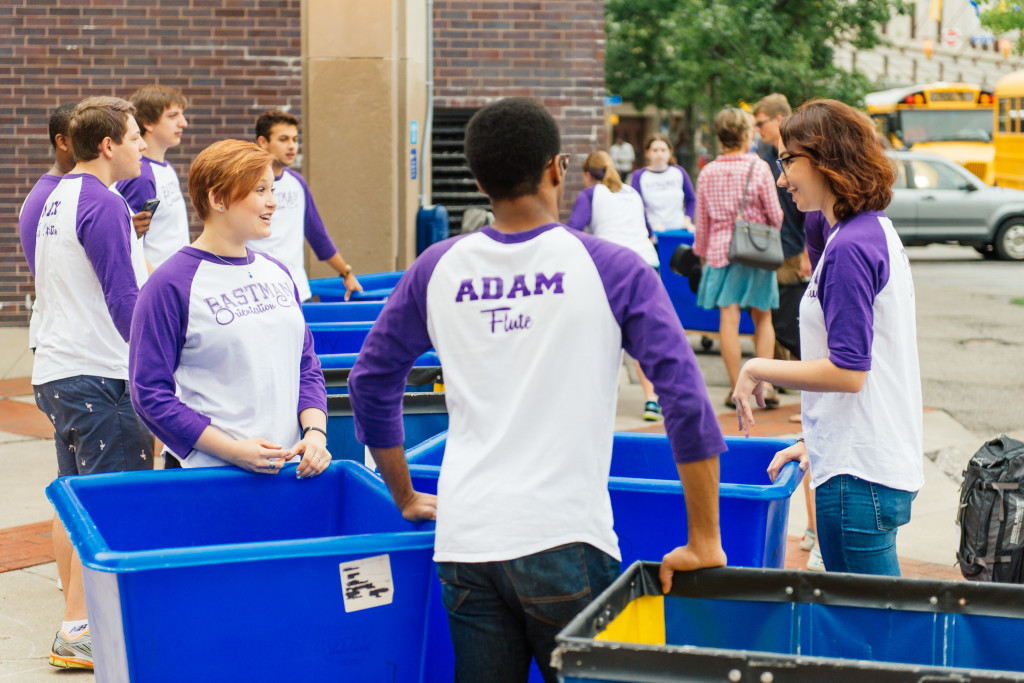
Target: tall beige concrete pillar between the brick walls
x,y
363,87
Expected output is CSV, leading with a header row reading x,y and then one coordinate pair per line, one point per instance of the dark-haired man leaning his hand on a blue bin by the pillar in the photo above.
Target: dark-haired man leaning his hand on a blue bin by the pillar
x,y
296,221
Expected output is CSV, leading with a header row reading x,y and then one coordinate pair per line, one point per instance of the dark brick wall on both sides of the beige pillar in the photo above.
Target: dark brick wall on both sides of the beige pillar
x,y
234,59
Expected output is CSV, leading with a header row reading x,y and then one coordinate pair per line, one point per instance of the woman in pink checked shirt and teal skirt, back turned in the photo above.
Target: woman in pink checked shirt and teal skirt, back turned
x,y
733,287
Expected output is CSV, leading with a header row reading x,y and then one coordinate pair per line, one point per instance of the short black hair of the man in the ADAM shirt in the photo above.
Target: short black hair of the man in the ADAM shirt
x,y
508,146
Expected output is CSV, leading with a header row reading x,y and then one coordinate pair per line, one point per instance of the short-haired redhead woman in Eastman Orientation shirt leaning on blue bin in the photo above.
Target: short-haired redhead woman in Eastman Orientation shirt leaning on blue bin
x,y
220,325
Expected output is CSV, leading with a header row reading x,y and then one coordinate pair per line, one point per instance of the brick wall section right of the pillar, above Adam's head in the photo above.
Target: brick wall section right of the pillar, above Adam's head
x,y
552,51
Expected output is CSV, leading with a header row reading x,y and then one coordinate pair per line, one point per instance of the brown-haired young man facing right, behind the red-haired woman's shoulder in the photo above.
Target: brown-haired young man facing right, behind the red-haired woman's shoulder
x,y
161,115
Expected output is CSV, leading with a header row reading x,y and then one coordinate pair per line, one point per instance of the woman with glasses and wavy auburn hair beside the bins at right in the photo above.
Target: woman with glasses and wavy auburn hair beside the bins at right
x,y
862,402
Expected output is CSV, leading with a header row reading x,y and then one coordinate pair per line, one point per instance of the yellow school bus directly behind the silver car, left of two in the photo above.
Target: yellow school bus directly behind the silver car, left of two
x,y
953,120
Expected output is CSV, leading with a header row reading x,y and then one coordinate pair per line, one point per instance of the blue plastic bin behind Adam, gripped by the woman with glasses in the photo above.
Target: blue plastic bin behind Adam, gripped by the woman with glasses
x,y
646,490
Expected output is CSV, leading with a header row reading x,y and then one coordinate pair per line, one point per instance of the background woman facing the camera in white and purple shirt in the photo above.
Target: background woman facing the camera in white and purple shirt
x,y
666,189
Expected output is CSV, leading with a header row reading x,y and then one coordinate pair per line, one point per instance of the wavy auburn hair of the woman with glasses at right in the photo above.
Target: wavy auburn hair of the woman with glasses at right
x,y
842,145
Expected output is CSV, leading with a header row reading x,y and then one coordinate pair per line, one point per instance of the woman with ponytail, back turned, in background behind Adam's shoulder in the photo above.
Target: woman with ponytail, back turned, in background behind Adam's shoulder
x,y
610,210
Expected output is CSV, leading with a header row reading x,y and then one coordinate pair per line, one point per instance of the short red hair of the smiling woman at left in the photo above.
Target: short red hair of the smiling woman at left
x,y
230,169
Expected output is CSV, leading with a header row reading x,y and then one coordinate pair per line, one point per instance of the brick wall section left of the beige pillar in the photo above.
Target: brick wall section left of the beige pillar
x,y
232,59
